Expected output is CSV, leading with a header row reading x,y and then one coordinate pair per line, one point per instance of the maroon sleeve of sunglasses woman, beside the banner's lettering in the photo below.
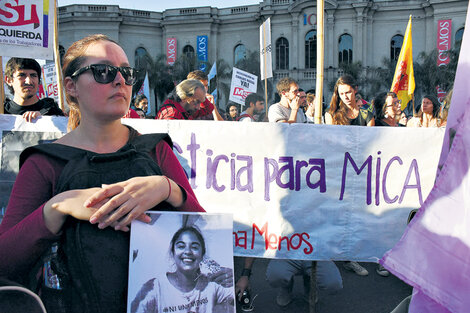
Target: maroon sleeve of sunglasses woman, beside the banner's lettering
x,y
172,168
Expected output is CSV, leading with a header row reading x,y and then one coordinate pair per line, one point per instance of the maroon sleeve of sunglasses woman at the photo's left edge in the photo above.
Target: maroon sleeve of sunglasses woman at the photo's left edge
x,y
23,234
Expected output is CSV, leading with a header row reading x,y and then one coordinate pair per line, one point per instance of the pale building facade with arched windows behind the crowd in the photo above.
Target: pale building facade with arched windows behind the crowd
x,y
365,31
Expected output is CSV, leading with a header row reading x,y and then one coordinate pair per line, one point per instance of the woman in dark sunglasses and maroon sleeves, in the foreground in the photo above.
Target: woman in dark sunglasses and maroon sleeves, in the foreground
x,y
48,204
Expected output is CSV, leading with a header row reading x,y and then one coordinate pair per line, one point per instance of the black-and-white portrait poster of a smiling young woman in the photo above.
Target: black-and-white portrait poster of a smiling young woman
x,y
181,262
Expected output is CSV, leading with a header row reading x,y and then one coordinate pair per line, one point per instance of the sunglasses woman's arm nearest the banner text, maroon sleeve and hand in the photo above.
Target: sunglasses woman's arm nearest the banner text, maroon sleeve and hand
x,y
128,200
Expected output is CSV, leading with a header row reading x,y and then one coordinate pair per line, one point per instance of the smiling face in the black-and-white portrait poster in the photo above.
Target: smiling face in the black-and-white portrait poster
x,y
187,252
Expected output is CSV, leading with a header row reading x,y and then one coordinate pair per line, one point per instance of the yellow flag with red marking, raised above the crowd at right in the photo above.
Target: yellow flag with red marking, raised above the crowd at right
x,y
404,80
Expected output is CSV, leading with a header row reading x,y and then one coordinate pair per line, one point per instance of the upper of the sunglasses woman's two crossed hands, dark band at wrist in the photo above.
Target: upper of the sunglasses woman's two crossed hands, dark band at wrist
x,y
128,200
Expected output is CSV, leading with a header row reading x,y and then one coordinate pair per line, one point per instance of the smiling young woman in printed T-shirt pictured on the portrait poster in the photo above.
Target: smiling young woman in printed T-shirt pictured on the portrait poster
x,y
187,286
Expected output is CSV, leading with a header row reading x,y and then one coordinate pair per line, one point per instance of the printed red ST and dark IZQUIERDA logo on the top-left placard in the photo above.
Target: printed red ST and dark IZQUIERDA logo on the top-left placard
x,y
24,23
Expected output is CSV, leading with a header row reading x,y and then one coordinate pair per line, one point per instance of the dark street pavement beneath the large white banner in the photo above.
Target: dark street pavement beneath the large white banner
x,y
360,294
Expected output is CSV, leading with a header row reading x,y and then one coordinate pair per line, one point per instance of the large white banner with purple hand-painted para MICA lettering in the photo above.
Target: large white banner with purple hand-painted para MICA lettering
x,y
301,191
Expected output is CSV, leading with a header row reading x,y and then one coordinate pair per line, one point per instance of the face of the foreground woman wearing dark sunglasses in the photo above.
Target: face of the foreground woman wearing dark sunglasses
x,y
102,101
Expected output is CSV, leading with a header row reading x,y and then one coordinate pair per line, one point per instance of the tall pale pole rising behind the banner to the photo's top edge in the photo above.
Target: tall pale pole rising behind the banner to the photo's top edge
x,y
320,62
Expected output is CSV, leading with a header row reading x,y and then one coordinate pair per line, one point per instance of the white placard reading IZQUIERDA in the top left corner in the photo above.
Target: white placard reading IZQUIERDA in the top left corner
x,y
27,29
